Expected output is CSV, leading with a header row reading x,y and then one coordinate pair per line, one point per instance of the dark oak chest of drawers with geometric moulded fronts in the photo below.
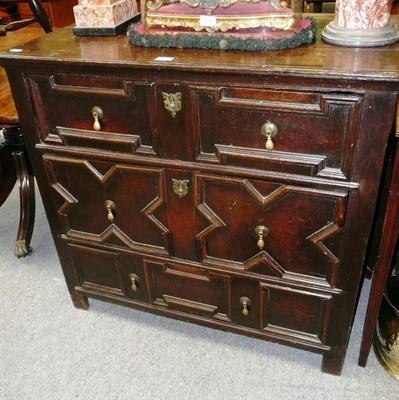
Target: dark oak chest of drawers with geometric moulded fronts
x,y
235,190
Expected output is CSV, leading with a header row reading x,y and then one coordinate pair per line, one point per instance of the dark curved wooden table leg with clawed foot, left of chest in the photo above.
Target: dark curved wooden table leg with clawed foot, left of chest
x,y
25,180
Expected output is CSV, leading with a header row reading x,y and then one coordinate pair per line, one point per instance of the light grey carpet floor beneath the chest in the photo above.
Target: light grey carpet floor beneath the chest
x,y
50,350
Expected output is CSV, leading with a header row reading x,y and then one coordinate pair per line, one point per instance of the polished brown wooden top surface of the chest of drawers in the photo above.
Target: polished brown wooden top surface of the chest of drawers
x,y
317,60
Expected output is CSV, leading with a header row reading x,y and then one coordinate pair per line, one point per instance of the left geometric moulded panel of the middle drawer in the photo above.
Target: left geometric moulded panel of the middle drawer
x,y
92,203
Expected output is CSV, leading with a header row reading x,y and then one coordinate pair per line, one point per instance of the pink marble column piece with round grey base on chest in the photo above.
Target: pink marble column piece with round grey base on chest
x,y
361,23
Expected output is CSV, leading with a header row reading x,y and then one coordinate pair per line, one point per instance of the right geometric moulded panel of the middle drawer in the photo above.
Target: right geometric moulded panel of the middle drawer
x,y
303,227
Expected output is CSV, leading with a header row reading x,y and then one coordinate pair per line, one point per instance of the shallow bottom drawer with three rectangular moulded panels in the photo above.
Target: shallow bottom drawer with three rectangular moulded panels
x,y
272,309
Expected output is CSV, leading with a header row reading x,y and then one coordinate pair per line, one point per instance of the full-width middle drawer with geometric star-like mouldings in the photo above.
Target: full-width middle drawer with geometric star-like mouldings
x,y
228,222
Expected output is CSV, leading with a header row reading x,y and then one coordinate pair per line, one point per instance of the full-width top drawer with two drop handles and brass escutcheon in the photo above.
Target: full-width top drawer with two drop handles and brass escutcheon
x,y
315,132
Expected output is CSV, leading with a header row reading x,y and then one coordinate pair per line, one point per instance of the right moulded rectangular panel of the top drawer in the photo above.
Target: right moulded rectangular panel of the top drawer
x,y
313,133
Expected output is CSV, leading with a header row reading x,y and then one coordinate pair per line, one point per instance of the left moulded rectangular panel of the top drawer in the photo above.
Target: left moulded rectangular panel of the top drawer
x,y
101,112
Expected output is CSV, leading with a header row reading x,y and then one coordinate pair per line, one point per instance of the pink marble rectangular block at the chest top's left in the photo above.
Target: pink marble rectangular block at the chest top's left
x,y
103,14
